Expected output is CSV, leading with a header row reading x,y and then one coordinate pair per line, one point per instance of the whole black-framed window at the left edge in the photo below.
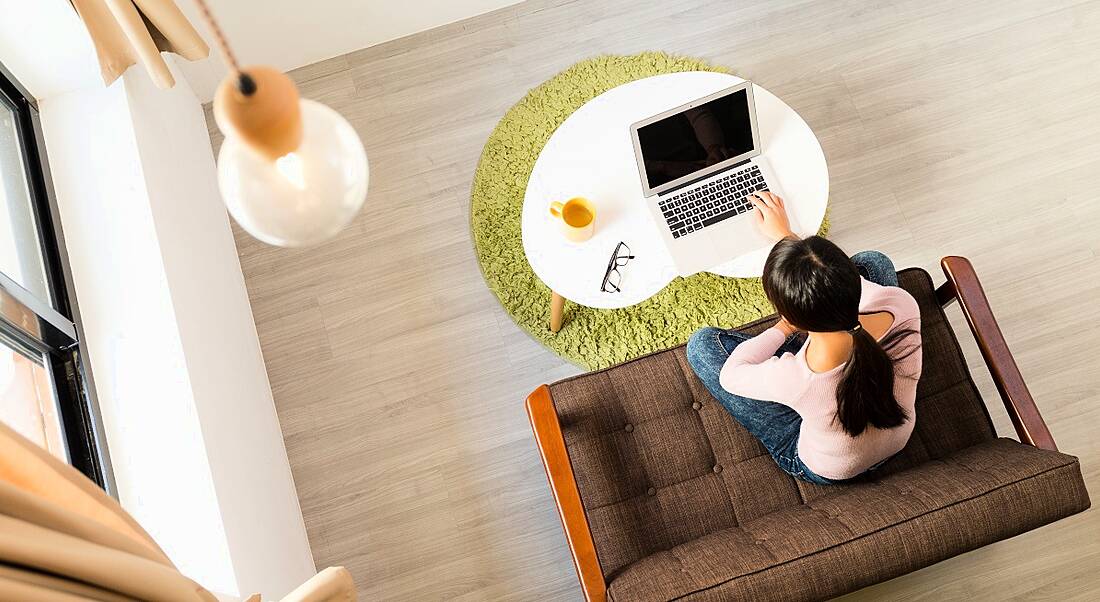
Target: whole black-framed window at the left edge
x,y
43,393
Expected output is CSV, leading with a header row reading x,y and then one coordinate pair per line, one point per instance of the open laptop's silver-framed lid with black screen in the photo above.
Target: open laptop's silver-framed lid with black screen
x,y
697,139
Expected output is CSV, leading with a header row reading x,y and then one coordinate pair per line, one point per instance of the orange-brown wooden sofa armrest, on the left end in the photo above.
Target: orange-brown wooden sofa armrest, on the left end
x,y
552,446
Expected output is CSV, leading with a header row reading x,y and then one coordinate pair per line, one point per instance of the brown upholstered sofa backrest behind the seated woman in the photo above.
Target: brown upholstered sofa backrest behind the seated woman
x,y
905,521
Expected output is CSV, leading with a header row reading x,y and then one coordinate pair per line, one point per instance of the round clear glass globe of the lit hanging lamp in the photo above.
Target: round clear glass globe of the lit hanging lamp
x,y
305,196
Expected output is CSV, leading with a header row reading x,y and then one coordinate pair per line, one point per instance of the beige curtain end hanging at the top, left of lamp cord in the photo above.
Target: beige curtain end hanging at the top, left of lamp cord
x,y
126,32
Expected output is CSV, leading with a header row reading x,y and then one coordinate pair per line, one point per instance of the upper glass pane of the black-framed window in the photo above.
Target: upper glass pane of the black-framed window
x,y
20,254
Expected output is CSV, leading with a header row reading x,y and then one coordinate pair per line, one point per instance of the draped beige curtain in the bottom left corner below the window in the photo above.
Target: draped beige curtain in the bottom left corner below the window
x,y
64,539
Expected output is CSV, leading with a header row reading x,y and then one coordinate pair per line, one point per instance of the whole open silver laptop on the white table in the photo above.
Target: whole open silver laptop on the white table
x,y
699,162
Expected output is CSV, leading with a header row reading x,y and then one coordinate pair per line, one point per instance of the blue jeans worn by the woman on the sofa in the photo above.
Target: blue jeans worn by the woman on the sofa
x,y
775,425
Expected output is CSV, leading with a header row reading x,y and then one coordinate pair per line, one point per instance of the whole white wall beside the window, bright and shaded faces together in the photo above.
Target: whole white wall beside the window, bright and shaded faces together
x,y
189,414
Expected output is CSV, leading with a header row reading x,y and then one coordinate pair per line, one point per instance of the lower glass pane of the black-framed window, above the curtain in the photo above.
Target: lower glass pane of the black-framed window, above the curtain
x,y
27,401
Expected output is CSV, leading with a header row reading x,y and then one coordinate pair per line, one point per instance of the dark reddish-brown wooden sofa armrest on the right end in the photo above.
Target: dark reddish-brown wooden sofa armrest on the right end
x,y
963,284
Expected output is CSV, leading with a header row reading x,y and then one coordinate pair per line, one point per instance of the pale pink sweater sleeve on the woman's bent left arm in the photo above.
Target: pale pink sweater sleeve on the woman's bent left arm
x,y
754,371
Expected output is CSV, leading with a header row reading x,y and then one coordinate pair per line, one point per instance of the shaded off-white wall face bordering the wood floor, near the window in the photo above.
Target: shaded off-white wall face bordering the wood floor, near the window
x,y
251,474
